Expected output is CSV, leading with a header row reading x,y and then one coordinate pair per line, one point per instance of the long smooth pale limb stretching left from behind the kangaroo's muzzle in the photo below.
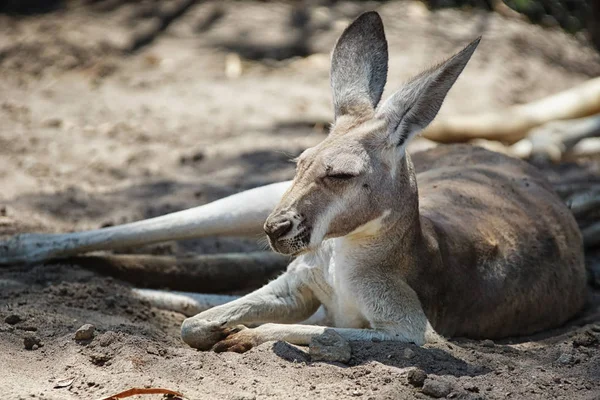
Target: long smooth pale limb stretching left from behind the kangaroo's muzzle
x,y
242,214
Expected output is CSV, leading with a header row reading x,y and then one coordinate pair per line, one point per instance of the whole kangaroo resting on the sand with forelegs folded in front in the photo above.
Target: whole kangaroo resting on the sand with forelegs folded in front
x,y
472,244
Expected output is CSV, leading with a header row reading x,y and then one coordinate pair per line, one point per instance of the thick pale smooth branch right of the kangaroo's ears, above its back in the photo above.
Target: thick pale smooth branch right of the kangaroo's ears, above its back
x,y
513,123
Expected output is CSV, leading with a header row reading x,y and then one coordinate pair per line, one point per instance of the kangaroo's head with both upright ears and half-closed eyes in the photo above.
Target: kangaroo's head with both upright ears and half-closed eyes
x,y
358,174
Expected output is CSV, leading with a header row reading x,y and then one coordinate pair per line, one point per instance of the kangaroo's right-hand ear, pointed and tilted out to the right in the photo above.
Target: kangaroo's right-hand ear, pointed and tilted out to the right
x,y
415,105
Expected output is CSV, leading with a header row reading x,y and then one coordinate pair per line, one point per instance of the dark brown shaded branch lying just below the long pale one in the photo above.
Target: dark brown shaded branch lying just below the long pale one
x,y
209,273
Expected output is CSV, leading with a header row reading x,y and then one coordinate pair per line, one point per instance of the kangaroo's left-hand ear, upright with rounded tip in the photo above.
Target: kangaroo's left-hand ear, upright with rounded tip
x,y
359,66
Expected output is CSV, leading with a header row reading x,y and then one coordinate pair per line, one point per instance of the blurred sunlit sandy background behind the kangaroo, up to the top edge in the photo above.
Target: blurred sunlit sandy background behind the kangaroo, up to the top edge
x,y
112,111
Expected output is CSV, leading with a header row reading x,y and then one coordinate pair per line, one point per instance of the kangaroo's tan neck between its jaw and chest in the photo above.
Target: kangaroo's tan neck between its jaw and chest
x,y
395,236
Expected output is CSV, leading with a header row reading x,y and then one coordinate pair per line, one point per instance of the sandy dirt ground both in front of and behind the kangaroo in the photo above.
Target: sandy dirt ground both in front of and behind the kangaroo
x,y
98,130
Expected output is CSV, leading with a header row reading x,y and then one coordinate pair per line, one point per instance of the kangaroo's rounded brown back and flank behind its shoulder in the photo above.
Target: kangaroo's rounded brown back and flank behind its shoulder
x,y
510,251
